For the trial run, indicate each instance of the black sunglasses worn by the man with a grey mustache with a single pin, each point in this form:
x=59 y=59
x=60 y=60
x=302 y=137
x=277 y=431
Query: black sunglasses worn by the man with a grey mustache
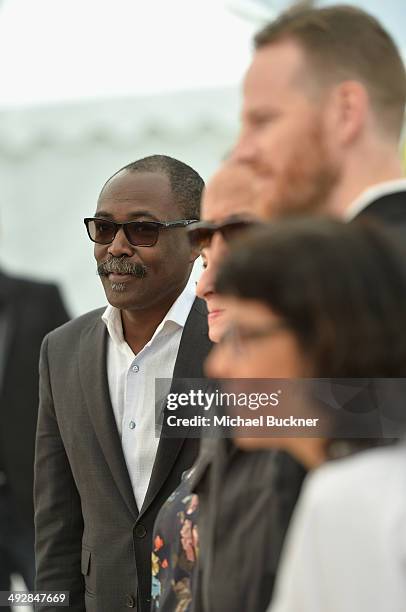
x=138 y=233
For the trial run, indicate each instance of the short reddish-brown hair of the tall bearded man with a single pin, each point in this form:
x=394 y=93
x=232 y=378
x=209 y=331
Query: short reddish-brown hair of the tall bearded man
x=345 y=43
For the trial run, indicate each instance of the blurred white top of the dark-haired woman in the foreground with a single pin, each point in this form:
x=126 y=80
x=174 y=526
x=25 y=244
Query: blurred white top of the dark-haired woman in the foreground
x=346 y=546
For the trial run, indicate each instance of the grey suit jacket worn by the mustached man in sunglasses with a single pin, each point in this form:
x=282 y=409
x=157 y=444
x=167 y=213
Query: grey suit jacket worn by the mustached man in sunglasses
x=91 y=539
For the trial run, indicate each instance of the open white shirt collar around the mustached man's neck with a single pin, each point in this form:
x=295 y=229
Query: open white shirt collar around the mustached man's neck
x=176 y=316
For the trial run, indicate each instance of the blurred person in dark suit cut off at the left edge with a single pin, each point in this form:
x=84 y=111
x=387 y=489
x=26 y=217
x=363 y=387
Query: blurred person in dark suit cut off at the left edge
x=28 y=311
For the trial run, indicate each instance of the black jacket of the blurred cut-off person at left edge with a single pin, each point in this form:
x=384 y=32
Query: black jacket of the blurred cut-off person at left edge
x=28 y=311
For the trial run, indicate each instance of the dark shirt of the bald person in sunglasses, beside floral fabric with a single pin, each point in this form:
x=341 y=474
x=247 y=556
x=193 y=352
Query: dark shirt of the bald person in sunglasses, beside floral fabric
x=245 y=504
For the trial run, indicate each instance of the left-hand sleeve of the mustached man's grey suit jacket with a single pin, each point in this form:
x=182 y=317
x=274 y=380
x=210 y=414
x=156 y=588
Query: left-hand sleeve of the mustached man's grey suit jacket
x=58 y=516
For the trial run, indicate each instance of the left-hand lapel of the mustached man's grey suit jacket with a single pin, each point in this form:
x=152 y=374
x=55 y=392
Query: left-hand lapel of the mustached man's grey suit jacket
x=94 y=382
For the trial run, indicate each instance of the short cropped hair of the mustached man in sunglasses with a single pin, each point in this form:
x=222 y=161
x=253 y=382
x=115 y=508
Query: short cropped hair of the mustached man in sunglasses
x=186 y=184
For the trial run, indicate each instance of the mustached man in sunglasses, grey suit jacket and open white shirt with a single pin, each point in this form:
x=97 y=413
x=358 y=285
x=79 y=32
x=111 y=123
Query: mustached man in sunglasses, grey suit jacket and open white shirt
x=101 y=475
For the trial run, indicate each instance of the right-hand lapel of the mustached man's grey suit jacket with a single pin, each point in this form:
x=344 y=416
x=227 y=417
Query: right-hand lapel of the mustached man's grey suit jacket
x=193 y=349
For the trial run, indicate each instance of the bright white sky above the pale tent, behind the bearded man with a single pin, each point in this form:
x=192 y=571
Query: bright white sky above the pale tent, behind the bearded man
x=62 y=50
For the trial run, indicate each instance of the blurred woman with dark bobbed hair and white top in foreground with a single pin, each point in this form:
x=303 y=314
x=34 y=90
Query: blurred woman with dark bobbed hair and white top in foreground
x=316 y=298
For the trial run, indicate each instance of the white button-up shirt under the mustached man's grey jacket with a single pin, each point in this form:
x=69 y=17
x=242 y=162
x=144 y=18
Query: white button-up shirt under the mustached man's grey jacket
x=131 y=381
